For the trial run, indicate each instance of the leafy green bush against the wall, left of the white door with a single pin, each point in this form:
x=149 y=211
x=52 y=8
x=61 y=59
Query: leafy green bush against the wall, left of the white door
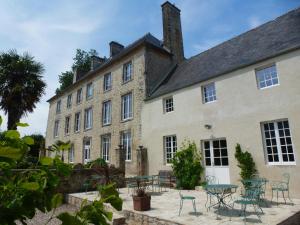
x=187 y=166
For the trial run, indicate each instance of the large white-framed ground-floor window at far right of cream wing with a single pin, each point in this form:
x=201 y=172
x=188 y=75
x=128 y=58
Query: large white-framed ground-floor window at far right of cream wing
x=278 y=142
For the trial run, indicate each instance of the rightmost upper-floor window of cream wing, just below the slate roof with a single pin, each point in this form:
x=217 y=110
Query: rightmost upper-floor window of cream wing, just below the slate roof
x=267 y=77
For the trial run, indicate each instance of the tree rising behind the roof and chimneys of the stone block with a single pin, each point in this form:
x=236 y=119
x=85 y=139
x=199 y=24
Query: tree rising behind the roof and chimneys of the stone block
x=81 y=62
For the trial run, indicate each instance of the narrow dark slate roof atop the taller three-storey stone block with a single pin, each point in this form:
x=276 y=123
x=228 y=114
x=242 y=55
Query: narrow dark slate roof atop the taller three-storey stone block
x=147 y=39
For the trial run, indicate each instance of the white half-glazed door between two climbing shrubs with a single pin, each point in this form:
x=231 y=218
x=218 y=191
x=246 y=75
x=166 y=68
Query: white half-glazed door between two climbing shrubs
x=216 y=160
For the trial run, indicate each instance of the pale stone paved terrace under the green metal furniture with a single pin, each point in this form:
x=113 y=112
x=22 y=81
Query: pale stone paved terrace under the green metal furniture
x=165 y=206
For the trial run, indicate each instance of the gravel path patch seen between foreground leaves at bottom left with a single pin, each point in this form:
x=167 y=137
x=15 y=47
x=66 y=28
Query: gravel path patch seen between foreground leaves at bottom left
x=41 y=218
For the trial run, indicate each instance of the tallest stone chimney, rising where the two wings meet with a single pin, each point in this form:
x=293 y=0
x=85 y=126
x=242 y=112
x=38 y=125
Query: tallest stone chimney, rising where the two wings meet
x=172 y=30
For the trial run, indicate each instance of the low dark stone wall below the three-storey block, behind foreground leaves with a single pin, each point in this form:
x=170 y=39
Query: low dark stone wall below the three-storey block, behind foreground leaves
x=80 y=176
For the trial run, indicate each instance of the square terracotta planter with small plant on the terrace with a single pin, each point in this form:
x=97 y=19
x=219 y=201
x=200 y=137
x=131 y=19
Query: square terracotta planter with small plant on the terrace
x=141 y=200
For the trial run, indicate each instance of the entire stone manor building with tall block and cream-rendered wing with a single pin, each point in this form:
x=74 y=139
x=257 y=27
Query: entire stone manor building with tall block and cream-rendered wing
x=148 y=96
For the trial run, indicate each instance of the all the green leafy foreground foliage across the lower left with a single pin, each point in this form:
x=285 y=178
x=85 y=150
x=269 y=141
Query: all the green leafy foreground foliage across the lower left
x=22 y=193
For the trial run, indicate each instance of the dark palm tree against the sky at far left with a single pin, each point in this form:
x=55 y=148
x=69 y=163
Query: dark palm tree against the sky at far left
x=21 y=85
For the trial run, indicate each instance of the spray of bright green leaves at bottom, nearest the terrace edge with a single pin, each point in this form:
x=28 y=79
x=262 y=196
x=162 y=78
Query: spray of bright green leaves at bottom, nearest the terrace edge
x=95 y=212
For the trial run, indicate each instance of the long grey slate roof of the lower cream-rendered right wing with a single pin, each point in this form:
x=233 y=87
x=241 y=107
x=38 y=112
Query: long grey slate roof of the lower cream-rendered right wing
x=268 y=40
